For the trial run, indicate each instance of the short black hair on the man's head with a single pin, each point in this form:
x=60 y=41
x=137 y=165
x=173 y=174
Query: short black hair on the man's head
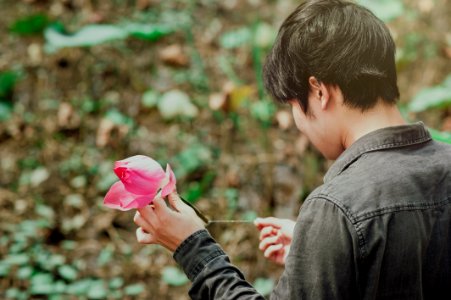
x=339 y=43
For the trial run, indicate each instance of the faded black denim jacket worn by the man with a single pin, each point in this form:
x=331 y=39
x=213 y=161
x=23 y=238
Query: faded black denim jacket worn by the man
x=378 y=228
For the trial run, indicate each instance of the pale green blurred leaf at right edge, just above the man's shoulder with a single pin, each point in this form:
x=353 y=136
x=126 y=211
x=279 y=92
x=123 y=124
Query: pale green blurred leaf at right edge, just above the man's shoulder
x=438 y=96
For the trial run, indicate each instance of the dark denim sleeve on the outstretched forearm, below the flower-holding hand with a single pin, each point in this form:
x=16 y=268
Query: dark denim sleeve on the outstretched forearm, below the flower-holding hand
x=210 y=270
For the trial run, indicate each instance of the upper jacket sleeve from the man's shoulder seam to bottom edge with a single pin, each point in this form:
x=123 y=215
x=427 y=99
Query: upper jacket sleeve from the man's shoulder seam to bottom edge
x=322 y=260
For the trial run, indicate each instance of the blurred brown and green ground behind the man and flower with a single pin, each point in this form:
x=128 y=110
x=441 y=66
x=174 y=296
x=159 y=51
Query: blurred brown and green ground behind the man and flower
x=84 y=83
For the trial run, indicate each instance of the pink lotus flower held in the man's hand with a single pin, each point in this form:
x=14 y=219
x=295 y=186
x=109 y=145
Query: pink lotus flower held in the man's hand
x=141 y=178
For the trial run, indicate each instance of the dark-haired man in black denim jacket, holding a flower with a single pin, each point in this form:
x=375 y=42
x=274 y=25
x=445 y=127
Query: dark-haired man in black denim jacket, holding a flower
x=379 y=227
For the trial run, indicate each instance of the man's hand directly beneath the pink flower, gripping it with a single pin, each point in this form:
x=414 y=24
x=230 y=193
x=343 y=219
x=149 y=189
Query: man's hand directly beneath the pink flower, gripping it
x=166 y=225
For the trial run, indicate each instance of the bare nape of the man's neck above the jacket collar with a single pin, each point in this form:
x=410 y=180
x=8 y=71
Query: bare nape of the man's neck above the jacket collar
x=358 y=123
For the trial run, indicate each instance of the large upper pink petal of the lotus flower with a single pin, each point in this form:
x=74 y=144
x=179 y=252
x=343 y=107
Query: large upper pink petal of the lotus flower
x=140 y=174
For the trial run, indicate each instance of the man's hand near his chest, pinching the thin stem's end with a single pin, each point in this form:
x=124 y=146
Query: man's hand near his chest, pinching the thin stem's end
x=275 y=237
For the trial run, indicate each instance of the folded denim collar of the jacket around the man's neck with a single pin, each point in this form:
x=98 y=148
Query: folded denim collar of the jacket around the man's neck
x=384 y=138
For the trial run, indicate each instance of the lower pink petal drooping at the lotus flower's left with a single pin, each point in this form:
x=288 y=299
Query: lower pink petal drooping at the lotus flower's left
x=119 y=198
